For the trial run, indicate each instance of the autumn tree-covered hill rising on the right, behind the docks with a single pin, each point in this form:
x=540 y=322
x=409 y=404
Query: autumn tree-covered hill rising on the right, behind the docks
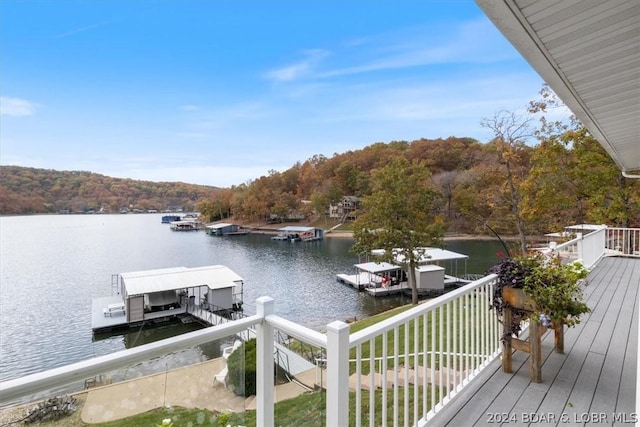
x=509 y=185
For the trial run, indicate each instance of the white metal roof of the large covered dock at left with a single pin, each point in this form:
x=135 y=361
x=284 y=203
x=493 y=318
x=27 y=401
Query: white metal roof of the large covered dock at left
x=167 y=279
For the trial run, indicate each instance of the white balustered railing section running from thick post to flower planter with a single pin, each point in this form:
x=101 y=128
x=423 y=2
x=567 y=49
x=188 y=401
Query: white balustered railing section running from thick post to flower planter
x=414 y=363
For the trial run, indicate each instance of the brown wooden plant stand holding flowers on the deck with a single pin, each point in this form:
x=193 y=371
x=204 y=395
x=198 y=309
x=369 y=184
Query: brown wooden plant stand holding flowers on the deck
x=521 y=301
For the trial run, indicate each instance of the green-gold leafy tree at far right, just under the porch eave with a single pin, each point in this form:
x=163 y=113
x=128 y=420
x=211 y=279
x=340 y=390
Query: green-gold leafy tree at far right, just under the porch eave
x=572 y=177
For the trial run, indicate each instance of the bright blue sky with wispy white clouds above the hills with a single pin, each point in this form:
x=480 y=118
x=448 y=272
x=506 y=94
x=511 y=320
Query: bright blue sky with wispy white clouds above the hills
x=220 y=92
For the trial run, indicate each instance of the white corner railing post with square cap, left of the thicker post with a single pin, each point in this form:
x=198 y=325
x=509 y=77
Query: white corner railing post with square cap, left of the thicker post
x=264 y=364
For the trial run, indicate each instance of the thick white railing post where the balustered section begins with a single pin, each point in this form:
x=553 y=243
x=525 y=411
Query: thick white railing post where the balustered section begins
x=337 y=374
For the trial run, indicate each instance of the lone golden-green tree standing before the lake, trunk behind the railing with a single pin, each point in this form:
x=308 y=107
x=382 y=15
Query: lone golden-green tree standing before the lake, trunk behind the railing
x=400 y=216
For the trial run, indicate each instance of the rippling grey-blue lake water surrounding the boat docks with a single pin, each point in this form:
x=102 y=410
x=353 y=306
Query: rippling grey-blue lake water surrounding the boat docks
x=52 y=266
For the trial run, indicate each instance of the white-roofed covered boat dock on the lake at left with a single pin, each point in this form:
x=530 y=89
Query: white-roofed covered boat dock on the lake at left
x=156 y=295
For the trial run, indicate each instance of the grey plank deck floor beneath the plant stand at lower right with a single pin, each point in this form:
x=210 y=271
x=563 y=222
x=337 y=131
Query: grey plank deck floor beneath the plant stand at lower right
x=593 y=383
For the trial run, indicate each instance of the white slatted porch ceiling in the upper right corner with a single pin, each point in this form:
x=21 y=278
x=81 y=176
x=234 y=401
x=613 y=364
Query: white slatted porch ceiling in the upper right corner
x=588 y=51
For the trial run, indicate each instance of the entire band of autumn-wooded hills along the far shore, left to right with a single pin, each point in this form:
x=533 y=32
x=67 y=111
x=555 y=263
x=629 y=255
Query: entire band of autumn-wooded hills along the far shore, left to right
x=508 y=185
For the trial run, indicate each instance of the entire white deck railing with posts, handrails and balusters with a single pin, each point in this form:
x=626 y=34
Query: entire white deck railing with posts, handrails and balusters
x=402 y=370
